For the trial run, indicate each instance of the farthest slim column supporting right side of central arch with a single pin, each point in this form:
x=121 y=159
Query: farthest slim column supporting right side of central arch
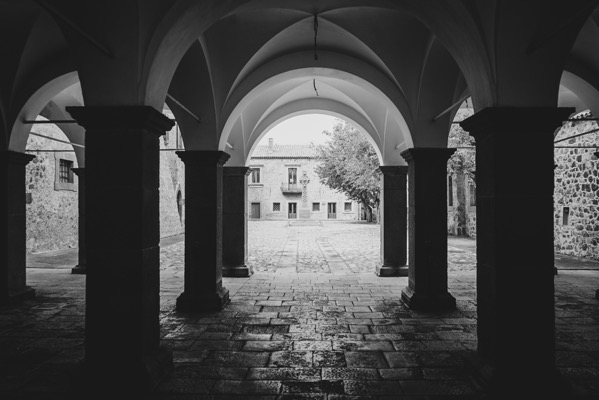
x=394 y=221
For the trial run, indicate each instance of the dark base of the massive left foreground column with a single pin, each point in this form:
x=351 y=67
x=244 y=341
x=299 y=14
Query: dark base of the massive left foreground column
x=115 y=377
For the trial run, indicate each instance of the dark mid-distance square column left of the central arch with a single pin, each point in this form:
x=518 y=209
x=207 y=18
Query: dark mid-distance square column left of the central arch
x=203 y=231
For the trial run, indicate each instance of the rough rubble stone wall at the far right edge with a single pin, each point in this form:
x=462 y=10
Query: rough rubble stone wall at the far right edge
x=576 y=204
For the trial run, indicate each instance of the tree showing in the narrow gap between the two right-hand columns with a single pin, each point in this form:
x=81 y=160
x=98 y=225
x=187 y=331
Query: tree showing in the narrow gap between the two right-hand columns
x=462 y=166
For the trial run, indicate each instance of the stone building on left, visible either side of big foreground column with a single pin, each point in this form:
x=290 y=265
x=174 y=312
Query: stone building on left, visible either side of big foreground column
x=52 y=189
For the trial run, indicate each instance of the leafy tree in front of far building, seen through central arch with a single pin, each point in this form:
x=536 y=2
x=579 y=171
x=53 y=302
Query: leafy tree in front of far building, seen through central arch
x=348 y=163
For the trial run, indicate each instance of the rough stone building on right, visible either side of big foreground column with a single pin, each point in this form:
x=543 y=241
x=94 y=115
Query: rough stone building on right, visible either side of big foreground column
x=576 y=191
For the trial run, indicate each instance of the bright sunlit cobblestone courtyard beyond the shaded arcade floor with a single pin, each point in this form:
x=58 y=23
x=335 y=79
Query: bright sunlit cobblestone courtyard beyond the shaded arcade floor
x=325 y=247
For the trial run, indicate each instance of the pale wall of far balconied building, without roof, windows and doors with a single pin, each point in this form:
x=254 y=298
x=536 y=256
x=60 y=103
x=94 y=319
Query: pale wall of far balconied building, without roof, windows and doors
x=274 y=173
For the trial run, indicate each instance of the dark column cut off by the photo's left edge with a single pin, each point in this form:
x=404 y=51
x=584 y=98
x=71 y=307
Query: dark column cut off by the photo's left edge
x=13 y=228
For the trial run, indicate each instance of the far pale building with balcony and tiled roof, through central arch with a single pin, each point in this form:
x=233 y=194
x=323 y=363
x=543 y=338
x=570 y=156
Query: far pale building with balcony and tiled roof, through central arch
x=283 y=184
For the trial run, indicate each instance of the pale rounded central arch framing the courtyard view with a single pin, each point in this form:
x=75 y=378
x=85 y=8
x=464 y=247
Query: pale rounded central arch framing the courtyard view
x=291 y=93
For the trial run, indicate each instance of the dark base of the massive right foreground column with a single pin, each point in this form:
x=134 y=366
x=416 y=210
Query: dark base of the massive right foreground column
x=515 y=384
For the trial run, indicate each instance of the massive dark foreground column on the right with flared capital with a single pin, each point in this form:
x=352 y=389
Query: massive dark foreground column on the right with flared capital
x=514 y=216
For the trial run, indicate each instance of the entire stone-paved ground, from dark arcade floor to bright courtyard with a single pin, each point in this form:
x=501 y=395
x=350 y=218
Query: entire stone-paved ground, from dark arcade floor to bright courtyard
x=313 y=322
